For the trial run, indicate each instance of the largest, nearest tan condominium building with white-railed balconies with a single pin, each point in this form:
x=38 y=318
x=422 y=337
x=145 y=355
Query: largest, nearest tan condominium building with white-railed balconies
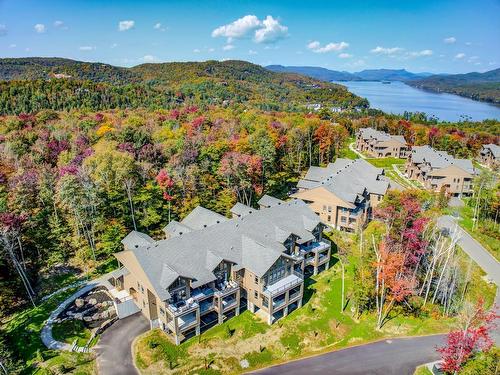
x=210 y=268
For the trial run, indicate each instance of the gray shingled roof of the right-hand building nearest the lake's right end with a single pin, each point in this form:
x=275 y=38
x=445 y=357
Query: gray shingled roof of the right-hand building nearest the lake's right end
x=438 y=159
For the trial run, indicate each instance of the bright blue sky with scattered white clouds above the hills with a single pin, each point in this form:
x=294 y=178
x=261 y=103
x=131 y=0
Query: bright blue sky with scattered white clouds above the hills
x=437 y=36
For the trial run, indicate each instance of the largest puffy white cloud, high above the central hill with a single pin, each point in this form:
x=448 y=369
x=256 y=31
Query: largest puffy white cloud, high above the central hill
x=268 y=30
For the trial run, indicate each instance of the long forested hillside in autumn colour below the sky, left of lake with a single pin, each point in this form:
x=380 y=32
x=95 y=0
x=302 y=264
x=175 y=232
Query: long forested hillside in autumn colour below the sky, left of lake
x=60 y=84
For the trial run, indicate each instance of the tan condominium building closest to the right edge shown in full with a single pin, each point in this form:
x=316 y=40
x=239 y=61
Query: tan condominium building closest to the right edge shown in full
x=438 y=170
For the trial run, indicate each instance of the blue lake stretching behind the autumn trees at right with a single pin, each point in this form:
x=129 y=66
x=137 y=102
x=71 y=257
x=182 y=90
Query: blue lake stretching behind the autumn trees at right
x=397 y=98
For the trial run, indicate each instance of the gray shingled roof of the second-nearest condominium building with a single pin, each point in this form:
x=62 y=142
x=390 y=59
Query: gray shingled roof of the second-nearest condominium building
x=346 y=178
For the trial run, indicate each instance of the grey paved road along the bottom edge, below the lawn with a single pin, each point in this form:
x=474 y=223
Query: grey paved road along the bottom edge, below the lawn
x=396 y=356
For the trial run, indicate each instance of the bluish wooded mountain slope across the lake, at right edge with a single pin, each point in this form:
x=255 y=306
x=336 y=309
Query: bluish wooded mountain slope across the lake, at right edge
x=478 y=86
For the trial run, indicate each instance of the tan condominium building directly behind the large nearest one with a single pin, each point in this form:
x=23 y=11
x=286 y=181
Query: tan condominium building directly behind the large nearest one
x=343 y=193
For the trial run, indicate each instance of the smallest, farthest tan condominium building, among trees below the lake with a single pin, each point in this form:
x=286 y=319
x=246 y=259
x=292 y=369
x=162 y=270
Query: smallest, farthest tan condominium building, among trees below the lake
x=380 y=144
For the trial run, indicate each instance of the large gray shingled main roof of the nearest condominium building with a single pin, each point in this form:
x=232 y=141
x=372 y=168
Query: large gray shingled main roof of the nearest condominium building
x=254 y=241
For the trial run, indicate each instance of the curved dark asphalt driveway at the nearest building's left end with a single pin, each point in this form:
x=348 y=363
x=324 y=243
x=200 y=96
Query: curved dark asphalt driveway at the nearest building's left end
x=114 y=351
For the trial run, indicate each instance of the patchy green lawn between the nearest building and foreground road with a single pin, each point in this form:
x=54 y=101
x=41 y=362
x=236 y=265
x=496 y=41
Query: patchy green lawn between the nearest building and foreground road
x=317 y=327
